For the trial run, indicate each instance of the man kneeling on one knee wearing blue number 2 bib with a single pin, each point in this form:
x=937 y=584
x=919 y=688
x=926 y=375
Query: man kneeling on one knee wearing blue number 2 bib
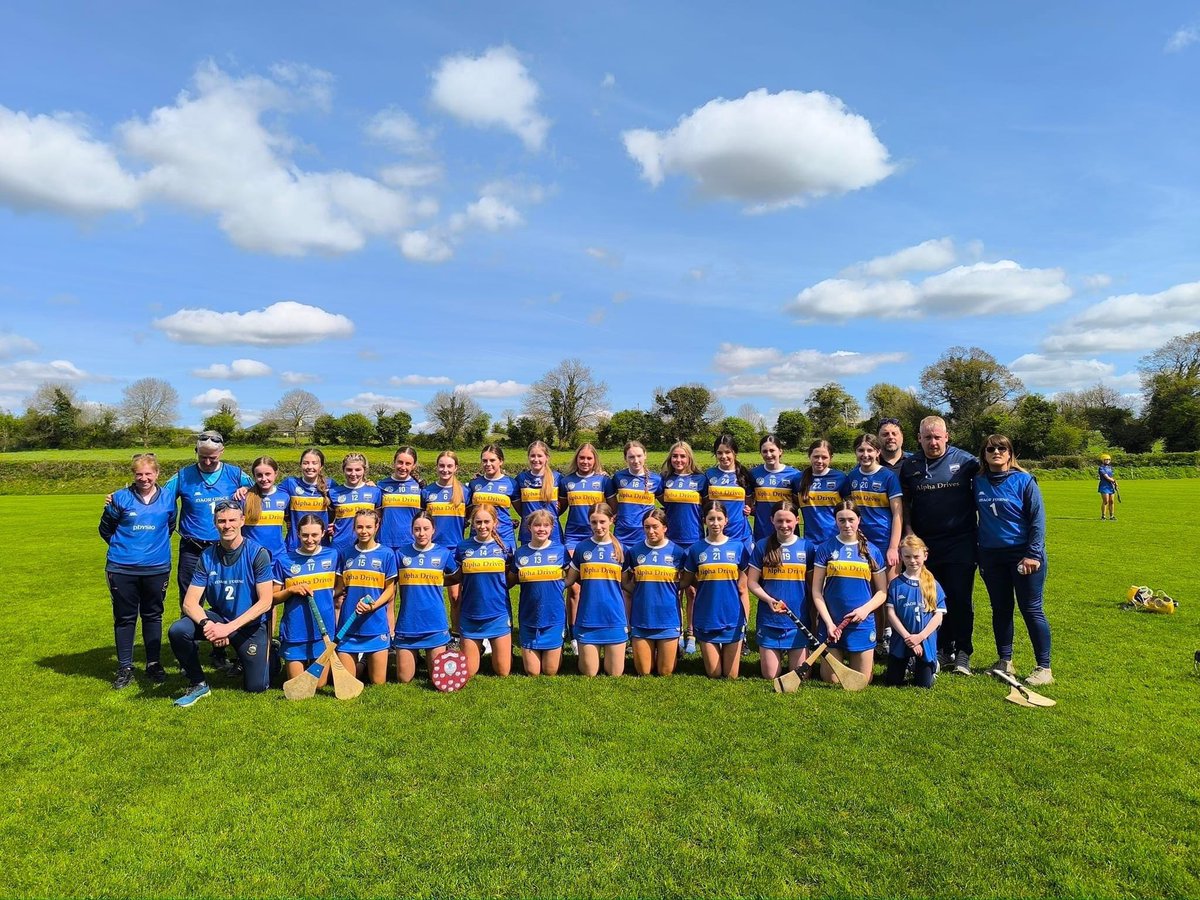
x=235 y=579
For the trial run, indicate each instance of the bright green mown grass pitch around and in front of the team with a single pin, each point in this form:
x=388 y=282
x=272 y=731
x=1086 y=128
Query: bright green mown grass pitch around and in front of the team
x=655 y=788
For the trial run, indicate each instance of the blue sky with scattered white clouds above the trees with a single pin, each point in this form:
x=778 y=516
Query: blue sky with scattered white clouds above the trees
x=380 y=205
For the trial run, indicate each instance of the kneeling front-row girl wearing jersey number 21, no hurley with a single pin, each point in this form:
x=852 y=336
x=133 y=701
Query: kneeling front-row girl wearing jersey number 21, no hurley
x=717 y=566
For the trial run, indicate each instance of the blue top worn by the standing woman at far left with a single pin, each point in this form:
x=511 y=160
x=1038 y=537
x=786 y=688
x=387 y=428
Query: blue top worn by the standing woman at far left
x=139 y=532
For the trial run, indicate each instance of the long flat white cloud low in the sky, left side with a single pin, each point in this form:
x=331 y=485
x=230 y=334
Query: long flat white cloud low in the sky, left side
x=281 y=325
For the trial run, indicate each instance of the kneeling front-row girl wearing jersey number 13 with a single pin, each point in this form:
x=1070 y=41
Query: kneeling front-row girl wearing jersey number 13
x=542 y=617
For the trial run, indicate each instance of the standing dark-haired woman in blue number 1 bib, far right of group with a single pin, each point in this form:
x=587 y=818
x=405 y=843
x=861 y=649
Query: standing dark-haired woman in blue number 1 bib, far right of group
x=1012 y=554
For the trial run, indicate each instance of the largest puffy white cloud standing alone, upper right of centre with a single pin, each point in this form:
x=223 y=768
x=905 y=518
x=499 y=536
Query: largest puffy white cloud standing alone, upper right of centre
x=766 y=151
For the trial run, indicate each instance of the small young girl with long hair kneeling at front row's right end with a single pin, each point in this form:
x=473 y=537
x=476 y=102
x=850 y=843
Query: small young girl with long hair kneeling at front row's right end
x=916 y=605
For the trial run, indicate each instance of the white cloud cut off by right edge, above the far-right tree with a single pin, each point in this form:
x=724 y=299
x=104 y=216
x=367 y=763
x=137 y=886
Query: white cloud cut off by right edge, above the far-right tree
x=1130 y=323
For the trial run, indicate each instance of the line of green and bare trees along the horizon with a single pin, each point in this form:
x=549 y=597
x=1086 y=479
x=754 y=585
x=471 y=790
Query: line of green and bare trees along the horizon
x=967 y=386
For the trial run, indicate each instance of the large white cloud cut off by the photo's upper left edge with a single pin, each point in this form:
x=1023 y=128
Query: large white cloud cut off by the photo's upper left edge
x=53 y=163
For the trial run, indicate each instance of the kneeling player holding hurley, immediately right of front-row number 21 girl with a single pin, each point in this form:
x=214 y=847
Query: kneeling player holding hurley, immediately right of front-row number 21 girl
x=779 y=575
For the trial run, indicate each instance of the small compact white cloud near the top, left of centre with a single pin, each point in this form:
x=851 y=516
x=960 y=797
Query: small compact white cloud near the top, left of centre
x=493 y=91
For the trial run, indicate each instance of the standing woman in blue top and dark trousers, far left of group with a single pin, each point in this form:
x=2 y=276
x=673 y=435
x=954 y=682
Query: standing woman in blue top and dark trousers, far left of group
x=136 y=525
